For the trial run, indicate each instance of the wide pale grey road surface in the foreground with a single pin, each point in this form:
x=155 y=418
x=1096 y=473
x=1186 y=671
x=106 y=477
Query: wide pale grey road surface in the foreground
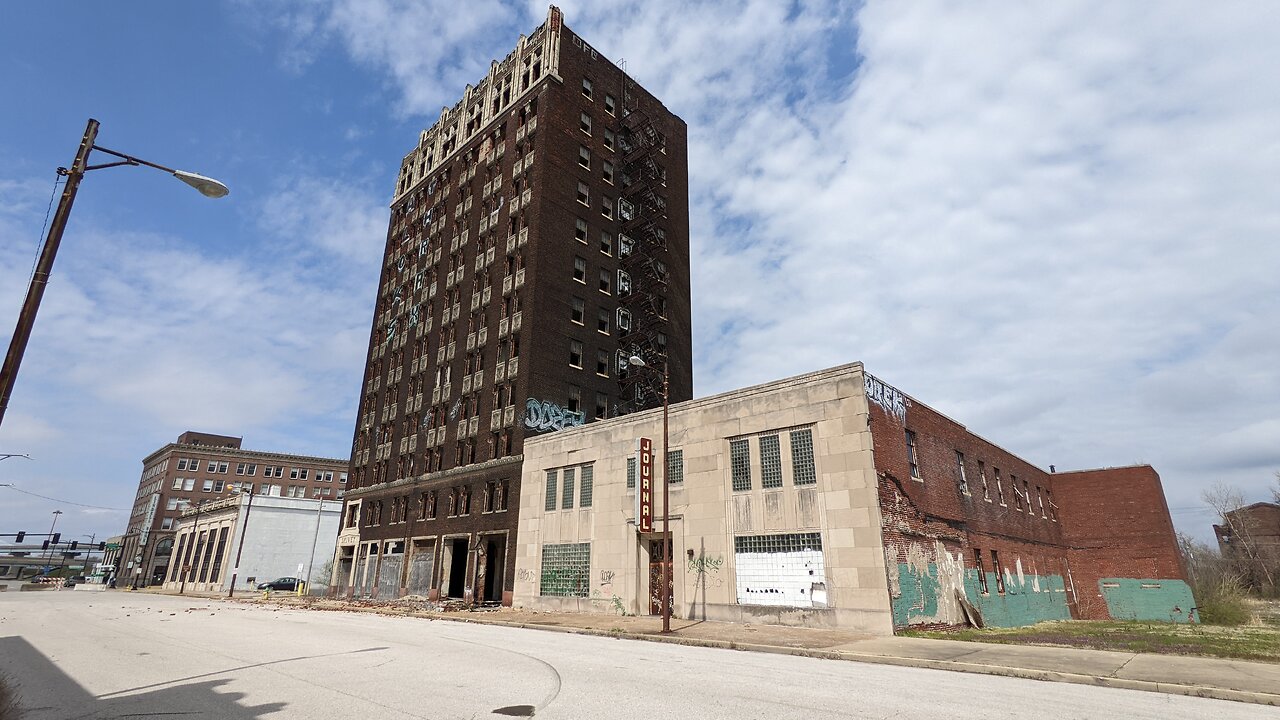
x=95 y=654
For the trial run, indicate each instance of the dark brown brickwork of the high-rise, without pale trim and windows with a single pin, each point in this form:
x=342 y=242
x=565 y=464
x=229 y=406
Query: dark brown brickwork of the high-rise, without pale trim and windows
x=546 y=298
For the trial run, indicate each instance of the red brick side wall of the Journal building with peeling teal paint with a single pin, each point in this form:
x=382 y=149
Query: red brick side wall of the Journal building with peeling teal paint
x=973 y=530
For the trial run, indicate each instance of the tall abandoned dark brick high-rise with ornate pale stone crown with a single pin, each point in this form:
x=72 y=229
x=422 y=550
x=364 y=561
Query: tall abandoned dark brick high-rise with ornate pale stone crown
x=540 y=238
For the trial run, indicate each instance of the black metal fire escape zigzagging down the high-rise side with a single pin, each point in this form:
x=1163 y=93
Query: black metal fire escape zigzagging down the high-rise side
x=643 y=257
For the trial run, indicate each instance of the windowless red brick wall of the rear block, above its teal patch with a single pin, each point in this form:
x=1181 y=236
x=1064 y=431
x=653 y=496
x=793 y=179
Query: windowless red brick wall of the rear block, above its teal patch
x=1117 y=525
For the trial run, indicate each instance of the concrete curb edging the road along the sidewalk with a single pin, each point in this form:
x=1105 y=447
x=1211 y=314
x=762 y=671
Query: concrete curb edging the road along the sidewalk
x=953 y=666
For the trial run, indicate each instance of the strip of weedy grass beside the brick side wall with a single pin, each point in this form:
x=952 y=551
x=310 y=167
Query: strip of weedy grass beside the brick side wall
x=1259 y=641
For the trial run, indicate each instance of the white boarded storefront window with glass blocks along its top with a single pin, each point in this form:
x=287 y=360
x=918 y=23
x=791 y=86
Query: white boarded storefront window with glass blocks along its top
x=784 y=571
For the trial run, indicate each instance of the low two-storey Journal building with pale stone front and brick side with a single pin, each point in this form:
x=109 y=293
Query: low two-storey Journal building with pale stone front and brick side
x=833 y=499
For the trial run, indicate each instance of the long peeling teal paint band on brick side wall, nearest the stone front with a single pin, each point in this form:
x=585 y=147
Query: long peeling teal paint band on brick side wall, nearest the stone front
x=920 y=604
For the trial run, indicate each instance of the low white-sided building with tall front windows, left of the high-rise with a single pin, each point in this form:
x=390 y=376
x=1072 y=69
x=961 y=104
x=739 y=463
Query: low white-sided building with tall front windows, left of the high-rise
x=281 y=537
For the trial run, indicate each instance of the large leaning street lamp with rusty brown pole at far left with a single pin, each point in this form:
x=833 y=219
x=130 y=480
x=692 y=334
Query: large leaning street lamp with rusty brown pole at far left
x=208 y=188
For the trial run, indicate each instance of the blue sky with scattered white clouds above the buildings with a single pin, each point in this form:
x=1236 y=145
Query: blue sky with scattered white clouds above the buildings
x=1054 y=222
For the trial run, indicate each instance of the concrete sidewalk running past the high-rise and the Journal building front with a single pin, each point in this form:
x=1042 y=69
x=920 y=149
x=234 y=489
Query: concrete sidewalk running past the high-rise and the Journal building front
x=1200 y=677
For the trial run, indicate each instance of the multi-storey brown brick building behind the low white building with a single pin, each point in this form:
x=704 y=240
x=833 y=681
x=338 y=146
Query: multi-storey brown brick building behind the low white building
x=203 y=468
